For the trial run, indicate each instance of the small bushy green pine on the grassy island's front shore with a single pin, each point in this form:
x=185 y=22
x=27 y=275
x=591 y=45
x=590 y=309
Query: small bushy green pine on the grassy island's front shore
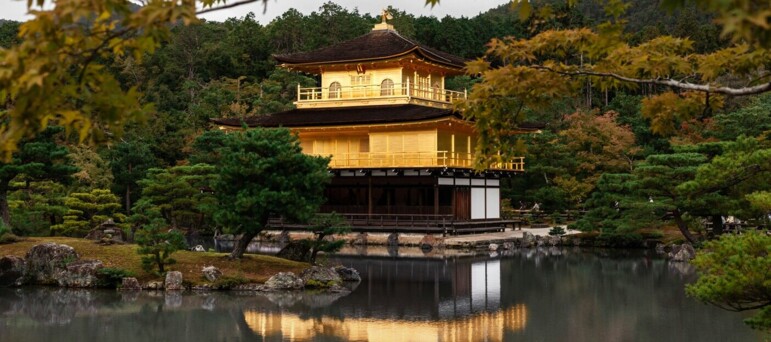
x=157 y=246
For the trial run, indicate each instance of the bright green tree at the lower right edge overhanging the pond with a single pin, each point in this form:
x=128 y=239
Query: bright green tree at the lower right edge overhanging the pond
x=735 y=274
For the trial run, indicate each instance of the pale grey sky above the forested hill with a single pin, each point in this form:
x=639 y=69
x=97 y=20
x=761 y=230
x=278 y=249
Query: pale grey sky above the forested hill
x=16 y=10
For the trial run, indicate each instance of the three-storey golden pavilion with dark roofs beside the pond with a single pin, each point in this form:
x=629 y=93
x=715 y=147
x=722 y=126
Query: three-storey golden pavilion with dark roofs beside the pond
x=401 y=157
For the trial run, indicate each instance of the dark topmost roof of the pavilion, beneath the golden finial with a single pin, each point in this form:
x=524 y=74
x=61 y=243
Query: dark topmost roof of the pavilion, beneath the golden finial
x=378 y=44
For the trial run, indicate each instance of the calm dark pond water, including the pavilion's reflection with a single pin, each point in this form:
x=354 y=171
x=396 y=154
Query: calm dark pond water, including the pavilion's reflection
x=529 y=295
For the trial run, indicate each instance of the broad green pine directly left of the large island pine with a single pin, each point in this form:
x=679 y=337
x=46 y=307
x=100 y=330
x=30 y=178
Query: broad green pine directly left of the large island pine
x=182 y=195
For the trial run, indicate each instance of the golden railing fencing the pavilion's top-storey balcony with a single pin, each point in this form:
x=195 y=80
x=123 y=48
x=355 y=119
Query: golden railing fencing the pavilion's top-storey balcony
x=377 y=91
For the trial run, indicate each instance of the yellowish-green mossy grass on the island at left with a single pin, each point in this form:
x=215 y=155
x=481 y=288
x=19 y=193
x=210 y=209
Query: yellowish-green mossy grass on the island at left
x=252 y=268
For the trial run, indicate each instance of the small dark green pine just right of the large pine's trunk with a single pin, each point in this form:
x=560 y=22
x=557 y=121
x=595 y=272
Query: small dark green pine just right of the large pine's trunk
x=324 y=226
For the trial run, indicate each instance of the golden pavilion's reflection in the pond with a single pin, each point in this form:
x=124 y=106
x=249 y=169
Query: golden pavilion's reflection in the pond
x=458 y=301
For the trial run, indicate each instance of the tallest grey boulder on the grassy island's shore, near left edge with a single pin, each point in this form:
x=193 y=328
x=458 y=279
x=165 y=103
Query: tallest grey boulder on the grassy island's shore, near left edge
x=45 y=261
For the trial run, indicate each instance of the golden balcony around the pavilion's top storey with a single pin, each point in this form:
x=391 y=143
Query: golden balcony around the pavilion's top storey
x=398 y=93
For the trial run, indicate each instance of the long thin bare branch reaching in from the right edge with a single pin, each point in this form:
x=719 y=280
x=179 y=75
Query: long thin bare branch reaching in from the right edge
x=758 y=89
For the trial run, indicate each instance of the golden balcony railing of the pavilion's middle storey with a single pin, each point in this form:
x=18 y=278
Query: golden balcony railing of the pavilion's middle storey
x=416 y=160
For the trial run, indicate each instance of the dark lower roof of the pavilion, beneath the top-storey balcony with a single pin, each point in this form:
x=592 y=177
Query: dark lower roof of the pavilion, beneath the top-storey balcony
x=319 y=117
